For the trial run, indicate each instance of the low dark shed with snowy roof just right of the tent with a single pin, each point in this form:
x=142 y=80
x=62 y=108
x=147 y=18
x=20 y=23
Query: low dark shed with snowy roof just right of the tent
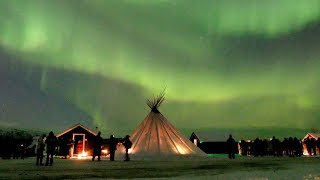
x=211 y=142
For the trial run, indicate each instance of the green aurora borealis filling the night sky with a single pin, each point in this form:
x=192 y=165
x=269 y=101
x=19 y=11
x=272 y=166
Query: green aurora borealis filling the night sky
x=225 y=63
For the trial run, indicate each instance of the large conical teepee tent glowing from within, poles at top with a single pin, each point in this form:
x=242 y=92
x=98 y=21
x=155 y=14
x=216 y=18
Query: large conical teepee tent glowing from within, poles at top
x=157 y=137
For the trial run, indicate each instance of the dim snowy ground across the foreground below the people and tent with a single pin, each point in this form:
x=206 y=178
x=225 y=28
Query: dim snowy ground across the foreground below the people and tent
x=211 y=168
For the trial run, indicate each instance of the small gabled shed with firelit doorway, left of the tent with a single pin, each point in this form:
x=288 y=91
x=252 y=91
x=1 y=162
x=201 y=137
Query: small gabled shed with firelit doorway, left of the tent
x=76 y=141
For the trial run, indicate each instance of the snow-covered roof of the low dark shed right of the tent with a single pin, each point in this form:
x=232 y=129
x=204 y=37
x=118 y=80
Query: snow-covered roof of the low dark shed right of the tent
x=211 y=136
